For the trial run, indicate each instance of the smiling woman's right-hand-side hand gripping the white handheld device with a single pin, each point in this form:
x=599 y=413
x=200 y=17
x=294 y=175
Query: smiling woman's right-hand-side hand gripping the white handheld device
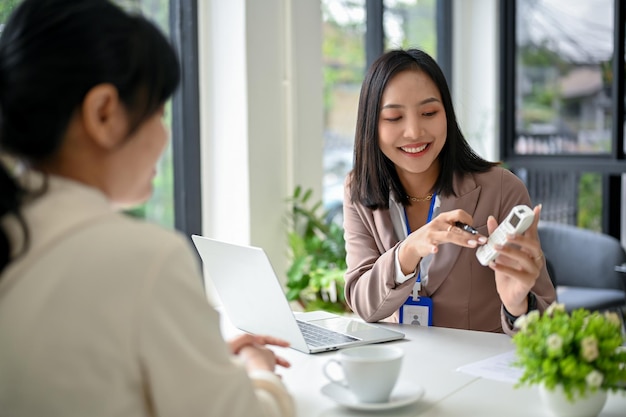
x=518 y=266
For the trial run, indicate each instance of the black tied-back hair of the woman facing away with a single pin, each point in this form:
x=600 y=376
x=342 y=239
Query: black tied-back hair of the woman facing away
x=52 y=52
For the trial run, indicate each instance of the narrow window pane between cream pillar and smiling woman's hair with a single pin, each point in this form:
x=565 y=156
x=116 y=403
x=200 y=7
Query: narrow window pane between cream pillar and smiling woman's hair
x=343 y=55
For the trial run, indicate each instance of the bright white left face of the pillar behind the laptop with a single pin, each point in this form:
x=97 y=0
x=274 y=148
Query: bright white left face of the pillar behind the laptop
x=224 y=120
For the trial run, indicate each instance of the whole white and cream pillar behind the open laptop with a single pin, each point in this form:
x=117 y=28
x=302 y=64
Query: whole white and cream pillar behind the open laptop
x=261 y=124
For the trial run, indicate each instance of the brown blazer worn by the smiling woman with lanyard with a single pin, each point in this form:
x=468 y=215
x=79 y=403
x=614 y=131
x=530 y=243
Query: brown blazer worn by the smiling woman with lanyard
x=463 y=291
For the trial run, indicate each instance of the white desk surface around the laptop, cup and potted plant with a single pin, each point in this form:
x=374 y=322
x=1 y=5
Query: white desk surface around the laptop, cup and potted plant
x=432 y=356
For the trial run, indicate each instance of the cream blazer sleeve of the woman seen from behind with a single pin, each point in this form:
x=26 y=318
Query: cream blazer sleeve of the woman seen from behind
x=187 y=366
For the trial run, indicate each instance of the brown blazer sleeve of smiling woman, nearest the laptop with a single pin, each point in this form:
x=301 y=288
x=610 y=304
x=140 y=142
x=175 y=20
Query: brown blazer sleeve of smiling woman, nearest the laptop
x=371 y=290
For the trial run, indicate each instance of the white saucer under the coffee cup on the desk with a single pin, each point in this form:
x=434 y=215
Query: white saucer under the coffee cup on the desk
x=404 y=393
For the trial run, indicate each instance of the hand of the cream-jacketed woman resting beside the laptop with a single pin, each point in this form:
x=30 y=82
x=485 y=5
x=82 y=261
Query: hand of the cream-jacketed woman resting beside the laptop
x=254 y=353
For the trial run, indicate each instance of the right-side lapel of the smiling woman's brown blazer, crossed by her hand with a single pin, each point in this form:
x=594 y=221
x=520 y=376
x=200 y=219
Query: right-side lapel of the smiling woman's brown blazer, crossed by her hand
x=467 y=193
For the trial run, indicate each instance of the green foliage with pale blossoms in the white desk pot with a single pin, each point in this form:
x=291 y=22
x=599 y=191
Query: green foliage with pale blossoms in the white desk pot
x=581 y=351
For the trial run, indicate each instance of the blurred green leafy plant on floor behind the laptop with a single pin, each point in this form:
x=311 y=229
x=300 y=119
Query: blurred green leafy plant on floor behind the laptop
x=318 y=256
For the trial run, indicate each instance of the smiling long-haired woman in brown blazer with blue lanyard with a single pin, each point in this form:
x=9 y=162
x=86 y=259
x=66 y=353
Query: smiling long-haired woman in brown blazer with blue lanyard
x=414 y=177
